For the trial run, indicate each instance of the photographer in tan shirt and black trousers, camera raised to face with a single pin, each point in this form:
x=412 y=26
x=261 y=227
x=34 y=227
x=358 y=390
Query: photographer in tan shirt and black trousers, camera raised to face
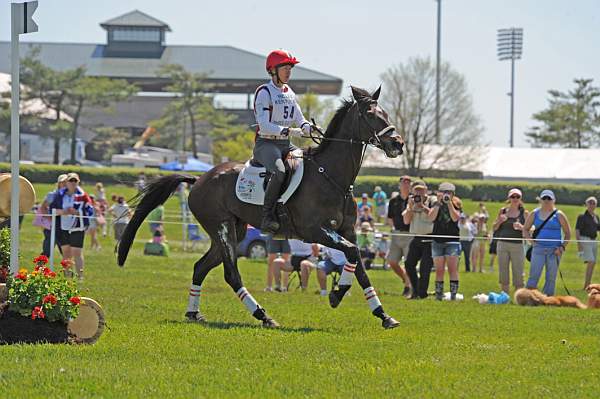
x=419 y=250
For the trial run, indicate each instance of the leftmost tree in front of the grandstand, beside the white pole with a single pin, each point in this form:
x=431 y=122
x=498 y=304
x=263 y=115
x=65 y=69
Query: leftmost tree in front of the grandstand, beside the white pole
x=52 y=88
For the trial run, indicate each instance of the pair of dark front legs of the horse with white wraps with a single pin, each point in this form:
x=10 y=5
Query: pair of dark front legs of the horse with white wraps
x=354 y=267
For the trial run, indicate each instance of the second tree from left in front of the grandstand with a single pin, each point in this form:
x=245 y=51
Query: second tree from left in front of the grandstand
x=94 y=92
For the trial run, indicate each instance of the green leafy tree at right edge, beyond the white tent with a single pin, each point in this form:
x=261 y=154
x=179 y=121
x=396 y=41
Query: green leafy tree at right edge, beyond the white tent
x=571 y=120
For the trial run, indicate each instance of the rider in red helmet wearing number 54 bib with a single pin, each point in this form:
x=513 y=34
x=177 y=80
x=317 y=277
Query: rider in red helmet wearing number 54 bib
x=278 y=116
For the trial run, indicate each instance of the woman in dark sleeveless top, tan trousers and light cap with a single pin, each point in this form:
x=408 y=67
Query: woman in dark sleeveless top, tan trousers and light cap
x=508 y=228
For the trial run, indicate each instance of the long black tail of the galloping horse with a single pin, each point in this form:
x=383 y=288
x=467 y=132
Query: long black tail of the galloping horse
x=151 y=196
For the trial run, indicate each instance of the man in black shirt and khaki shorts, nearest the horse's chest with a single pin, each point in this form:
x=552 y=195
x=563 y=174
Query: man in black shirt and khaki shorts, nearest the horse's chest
x=400 y=238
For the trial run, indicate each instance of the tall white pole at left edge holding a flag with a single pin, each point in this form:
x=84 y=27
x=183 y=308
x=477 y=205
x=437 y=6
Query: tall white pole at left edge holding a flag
x=14 y=142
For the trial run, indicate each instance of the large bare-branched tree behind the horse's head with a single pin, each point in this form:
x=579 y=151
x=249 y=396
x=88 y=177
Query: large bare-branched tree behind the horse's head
x=409 y=96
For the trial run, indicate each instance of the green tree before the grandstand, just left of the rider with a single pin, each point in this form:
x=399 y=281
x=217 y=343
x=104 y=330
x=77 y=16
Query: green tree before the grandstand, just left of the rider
x=191 y=89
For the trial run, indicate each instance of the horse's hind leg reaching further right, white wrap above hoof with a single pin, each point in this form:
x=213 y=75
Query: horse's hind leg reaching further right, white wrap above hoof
x=228 y=244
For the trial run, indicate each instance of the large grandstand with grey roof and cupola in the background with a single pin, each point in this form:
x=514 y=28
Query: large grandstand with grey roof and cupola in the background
x=136 y=48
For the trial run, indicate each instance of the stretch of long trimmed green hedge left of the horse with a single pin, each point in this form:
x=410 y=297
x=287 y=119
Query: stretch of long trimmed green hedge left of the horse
x=88 y=175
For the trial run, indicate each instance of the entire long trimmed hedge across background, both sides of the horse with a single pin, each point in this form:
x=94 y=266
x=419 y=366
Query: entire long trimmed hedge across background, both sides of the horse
x=478 y=190
